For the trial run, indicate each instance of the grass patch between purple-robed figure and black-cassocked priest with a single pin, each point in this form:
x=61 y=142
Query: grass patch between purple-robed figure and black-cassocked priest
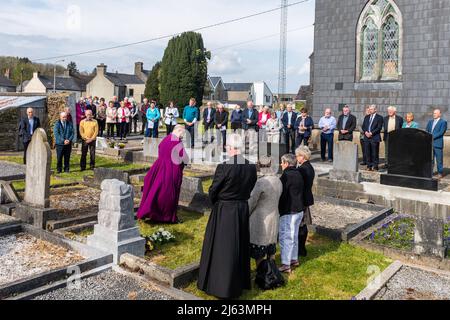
x=188 y=242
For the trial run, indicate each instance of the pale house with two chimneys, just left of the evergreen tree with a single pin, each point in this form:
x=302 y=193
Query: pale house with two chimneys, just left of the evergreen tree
x=108 y=84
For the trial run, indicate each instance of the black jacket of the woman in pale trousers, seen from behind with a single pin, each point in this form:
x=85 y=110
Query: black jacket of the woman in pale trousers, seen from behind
x=291 y=200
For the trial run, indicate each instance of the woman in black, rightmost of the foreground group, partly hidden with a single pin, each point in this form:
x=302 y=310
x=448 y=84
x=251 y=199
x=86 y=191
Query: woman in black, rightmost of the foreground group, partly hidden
x=303 y=155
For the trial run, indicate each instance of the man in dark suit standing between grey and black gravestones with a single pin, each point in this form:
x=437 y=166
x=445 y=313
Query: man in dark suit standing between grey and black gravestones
x=372 y=126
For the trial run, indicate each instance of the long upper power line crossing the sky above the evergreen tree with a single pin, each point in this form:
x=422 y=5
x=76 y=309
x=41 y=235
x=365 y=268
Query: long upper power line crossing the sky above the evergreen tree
x=171 y=35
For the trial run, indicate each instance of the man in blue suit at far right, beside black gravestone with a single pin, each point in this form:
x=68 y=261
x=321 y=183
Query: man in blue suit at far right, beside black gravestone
x=438 y=127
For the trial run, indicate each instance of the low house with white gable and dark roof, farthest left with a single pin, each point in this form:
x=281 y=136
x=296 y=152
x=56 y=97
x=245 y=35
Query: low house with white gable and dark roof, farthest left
x=68 y=83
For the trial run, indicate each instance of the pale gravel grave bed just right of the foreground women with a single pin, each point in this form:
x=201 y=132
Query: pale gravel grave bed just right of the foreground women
x=337 y=217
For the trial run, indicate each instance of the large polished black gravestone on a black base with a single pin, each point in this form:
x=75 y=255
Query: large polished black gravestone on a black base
x=410 y=160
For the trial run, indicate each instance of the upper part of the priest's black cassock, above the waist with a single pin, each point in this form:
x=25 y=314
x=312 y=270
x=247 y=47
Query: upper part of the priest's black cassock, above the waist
x=233 y=181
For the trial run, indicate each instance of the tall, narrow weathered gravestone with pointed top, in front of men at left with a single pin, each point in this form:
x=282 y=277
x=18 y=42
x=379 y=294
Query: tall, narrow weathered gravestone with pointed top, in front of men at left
x=35 y=207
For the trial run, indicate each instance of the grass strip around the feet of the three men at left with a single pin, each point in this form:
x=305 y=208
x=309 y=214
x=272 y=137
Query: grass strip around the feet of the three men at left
x=76 y=175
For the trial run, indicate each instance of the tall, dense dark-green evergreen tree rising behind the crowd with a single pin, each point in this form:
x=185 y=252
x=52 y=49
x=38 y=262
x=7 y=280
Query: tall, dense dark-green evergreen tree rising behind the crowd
x=184 y=69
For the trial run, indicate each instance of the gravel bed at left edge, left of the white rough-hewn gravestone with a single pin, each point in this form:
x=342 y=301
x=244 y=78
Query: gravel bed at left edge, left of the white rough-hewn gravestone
x=23 y=256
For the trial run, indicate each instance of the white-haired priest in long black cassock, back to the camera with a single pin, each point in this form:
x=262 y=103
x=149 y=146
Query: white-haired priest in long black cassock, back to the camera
x=225 y=262
